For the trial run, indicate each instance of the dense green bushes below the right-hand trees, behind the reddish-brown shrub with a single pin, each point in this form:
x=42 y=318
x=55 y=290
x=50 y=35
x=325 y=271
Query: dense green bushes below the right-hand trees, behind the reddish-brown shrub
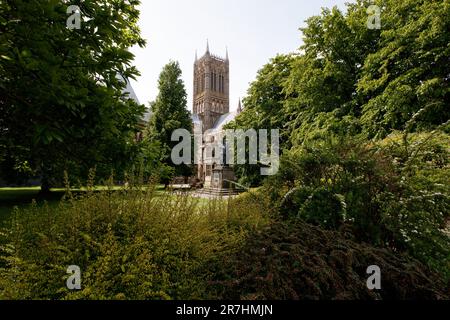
x=392 y=194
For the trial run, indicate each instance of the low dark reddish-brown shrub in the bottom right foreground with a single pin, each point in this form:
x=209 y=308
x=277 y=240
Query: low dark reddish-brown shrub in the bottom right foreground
x=296 y=261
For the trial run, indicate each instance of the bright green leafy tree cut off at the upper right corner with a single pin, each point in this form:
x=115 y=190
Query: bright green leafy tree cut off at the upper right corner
x=407 y=80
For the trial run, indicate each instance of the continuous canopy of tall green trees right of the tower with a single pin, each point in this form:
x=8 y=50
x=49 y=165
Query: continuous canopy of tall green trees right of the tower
x=348 y=79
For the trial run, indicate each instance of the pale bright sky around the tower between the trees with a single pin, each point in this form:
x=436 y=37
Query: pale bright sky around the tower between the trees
x=253 y=30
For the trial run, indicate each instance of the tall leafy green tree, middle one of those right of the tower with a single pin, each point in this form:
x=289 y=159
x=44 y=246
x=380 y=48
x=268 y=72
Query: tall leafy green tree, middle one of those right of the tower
x=323 y=82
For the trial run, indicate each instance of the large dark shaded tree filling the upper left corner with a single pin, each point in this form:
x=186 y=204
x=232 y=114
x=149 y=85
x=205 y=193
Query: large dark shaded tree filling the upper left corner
x=62 y=103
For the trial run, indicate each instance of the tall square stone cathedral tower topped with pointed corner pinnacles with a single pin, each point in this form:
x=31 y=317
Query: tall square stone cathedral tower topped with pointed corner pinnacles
x=211 y=88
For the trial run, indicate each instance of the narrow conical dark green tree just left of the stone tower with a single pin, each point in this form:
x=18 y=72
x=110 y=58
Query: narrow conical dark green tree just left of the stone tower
x=169 y=113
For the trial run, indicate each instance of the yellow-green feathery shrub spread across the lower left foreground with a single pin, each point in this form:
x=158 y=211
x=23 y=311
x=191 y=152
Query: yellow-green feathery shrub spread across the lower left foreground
x=134 y=243
